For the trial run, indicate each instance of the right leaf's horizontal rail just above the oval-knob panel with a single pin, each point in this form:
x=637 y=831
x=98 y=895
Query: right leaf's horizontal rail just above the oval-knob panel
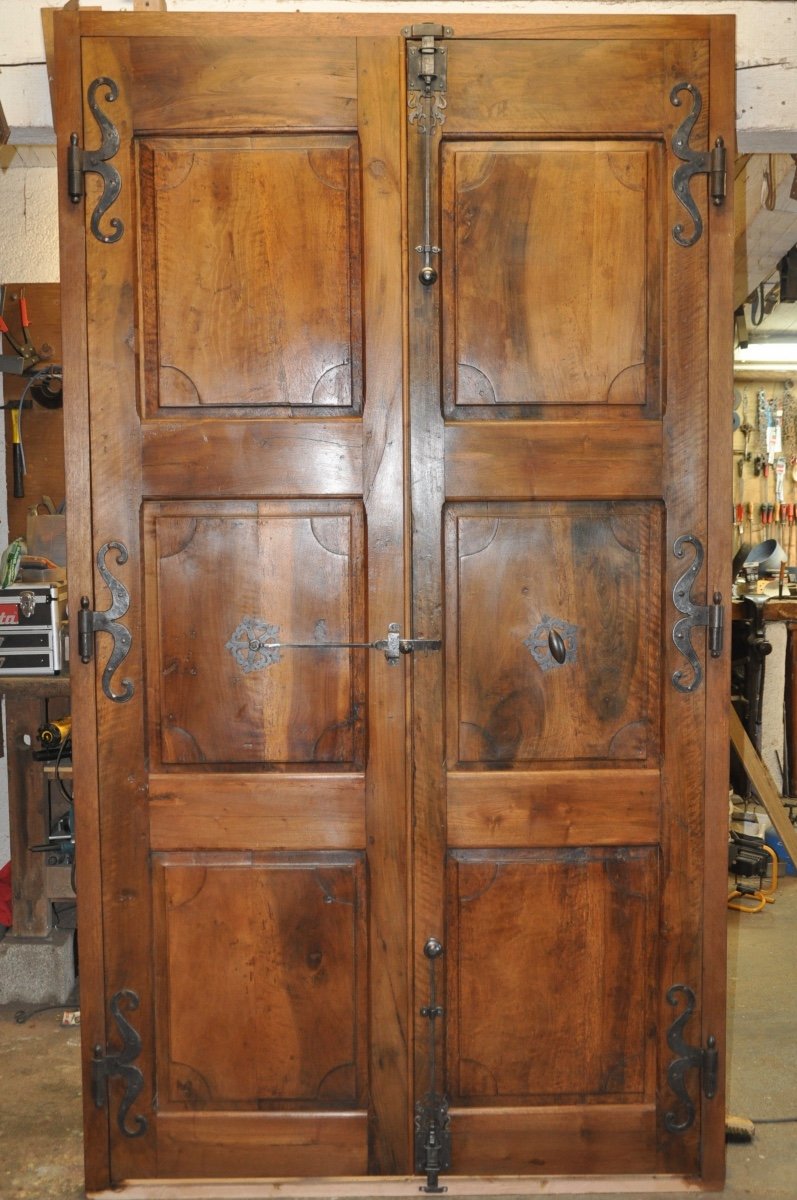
x=616 y=461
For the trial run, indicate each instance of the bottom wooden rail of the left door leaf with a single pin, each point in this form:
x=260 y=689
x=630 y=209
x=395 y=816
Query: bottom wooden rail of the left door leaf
x=206 y=1143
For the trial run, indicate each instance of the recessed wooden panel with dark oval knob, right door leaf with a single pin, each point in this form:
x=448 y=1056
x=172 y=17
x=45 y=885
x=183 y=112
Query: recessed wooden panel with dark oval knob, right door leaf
x=554 y=633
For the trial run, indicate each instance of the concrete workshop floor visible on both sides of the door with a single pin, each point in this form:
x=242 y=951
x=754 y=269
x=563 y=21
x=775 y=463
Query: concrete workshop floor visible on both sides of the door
x=40 y=1089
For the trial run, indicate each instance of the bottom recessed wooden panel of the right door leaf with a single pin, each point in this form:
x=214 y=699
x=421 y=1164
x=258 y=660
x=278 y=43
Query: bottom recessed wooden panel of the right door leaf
x=558 y=1009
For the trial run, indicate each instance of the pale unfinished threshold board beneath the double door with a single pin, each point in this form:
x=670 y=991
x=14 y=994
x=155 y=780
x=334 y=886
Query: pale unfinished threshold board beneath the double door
x=395 y=1186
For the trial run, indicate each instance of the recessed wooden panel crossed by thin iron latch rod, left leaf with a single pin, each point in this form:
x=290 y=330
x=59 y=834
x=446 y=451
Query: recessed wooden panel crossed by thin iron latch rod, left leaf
x=219 y=604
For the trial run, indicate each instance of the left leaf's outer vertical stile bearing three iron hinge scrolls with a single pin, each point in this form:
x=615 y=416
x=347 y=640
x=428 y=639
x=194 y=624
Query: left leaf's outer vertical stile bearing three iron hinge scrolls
x=117 y=496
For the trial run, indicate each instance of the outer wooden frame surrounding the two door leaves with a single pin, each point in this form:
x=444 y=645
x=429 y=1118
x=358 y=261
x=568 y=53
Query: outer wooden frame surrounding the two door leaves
x=70 y=27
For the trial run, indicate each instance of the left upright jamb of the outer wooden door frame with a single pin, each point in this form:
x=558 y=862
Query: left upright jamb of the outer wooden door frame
x=69 y=118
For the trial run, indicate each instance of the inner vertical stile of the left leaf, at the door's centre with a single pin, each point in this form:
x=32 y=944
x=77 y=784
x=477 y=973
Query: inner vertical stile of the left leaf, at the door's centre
x=383 y=487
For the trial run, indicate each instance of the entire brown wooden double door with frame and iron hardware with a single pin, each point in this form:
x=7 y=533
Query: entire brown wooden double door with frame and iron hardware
x=398 y=819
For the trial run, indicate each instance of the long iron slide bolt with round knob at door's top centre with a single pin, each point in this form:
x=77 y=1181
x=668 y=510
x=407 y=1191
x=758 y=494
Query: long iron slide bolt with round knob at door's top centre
x=427 y=86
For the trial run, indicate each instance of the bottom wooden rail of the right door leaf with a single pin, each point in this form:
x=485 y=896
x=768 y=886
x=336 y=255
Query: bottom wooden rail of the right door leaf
x=594 y=1139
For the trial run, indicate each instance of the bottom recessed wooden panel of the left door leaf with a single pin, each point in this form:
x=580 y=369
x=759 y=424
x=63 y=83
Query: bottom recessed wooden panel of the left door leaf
x=284 y=941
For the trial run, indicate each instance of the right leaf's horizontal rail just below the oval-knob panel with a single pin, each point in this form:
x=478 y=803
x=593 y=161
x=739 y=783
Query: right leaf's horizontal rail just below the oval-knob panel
x=554 y=808
